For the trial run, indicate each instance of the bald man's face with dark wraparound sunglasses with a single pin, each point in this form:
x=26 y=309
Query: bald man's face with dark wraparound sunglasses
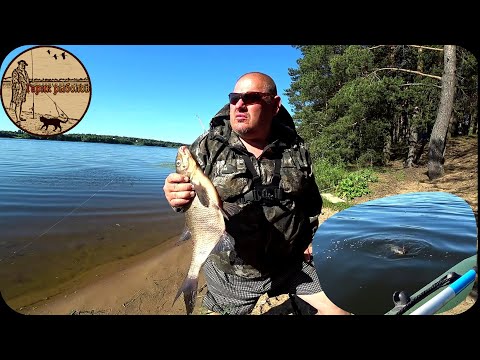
x=252 y=120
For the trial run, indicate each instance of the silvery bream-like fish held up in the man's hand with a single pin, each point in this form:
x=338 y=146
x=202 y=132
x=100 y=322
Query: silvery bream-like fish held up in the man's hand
x=204 y=224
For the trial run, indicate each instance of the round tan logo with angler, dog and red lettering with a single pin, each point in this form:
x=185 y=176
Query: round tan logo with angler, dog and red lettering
x=45 y=91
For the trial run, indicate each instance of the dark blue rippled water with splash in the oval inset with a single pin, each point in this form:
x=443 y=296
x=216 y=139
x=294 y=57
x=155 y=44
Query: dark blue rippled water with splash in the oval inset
x=398 y=243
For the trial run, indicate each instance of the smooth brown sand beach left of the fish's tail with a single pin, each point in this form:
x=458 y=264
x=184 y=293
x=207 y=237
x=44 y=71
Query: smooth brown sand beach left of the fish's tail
x=147 y=286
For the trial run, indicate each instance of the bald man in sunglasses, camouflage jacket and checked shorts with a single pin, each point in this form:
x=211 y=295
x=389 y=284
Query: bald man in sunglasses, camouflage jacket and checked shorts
x=256 y=160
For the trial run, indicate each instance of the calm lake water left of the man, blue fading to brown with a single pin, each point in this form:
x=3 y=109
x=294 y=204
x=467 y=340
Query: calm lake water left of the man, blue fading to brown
x=67 y=207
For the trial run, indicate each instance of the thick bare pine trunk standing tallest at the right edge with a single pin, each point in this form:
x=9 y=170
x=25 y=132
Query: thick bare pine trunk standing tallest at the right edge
x=439 y=133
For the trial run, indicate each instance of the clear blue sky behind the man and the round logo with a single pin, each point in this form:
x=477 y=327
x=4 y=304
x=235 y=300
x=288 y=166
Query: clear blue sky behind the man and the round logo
x=161 y=91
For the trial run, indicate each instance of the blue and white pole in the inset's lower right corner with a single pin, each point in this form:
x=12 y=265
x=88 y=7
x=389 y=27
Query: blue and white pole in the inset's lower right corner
x=443 y=297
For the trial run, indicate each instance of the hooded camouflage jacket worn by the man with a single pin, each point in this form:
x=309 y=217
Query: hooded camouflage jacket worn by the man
x=266 y=235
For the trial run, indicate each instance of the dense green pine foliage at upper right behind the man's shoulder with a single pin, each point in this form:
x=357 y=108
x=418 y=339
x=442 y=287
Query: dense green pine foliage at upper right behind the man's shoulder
x=353 y=104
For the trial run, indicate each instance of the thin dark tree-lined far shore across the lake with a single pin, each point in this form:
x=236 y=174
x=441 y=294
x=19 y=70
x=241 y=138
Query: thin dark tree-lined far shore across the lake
x=109 y=139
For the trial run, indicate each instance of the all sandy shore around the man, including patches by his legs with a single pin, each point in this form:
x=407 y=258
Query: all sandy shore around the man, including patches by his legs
x=145 y=285
